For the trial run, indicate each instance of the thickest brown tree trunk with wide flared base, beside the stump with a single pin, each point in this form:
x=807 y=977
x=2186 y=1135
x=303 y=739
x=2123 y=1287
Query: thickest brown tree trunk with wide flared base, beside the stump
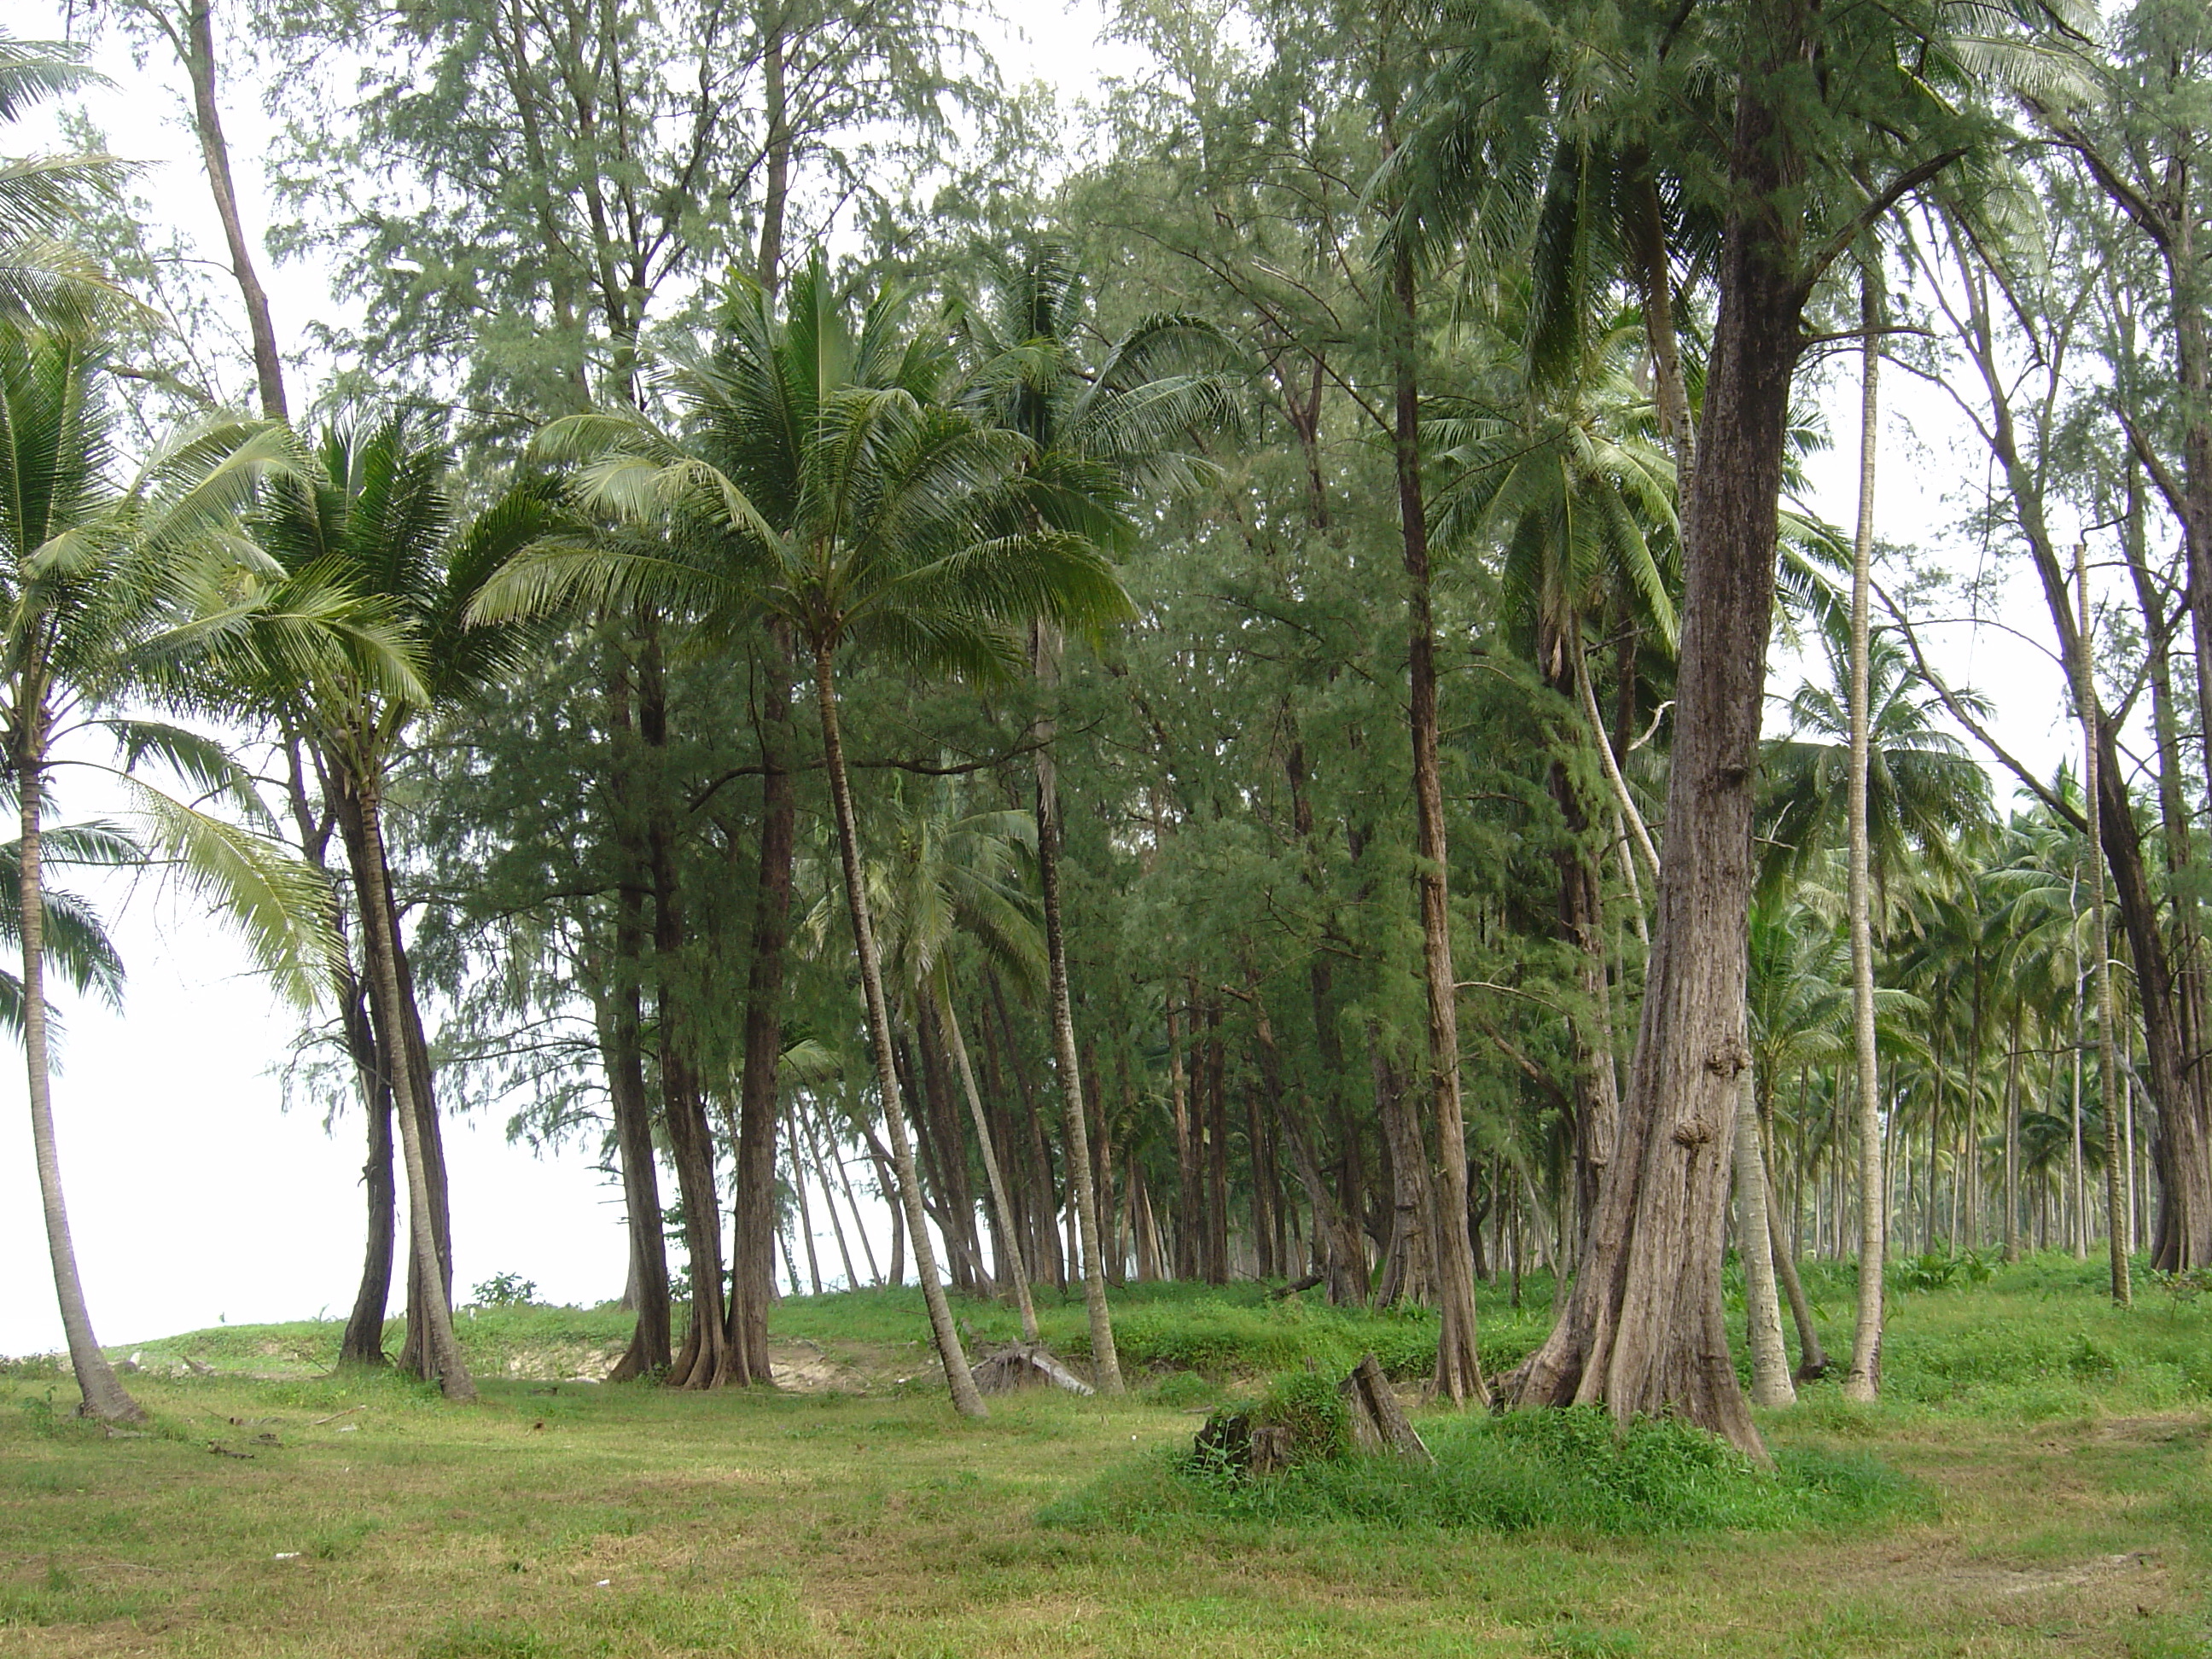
x=1645 y=1328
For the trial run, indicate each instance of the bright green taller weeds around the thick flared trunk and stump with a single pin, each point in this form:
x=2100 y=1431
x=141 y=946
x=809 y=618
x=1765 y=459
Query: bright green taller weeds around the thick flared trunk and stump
x=1527 y=1472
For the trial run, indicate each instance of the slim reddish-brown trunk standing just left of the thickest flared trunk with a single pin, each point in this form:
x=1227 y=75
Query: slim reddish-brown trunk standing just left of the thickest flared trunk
x=1459 y=1366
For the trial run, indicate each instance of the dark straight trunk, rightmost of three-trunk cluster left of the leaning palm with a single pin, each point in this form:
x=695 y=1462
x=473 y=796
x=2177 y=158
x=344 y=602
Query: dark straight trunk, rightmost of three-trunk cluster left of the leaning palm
x=753 y=1269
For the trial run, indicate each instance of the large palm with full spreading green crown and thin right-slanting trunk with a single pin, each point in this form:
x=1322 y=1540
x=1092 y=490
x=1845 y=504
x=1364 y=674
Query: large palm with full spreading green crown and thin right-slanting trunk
x=826 y=486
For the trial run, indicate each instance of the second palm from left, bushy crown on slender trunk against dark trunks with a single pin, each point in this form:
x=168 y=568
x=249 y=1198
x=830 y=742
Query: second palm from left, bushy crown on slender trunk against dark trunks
x=375 y=512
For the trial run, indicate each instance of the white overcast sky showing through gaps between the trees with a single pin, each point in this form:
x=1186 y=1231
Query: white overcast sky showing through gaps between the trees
x=198 y=1198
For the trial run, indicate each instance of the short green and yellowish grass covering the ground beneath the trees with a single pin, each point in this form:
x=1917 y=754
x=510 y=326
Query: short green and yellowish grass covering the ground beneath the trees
x=2054 y=1457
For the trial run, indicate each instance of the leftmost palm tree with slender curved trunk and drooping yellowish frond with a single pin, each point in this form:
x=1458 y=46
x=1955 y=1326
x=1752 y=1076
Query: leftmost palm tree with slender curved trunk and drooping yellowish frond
x=116 y=598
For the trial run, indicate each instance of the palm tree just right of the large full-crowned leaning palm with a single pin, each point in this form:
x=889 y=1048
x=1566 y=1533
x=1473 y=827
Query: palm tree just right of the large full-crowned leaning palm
x=1098 y=432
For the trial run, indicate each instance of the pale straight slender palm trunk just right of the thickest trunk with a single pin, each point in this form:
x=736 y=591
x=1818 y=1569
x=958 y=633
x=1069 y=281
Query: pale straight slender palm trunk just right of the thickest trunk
x=1866 y=1377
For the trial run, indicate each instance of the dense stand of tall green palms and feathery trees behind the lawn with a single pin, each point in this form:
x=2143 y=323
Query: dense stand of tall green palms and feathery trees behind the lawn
x=957 y=689
